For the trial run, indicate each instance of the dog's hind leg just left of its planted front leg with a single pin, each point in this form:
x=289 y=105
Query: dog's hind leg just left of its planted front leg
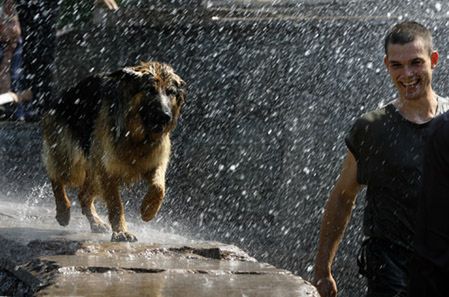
x=86 y=197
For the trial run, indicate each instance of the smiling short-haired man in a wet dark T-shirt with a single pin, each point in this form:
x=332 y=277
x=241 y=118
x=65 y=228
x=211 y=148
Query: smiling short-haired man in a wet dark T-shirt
x=385 y=149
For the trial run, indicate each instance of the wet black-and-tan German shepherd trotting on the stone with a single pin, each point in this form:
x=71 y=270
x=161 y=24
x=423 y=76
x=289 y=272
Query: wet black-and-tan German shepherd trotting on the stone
x=109 y=130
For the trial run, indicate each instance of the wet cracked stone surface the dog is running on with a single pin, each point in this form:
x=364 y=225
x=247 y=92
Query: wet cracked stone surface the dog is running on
x=38 y=260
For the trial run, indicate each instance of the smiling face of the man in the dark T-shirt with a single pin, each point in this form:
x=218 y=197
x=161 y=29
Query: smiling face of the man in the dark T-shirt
x=410 y=66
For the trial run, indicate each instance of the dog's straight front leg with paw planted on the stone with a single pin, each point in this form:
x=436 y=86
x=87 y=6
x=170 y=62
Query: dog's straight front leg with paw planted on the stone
x=111 y=195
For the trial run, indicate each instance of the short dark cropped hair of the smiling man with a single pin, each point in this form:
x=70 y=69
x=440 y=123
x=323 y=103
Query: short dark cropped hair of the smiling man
x=406 y=32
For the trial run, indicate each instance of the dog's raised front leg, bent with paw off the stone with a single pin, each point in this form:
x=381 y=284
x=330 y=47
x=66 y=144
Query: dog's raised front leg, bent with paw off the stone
x=152 y=201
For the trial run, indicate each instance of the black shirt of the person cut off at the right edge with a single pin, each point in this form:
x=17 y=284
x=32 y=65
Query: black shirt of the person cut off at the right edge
x=432 y=224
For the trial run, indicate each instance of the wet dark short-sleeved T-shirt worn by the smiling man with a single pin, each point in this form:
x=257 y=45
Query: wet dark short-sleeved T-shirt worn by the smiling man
x=389 y=153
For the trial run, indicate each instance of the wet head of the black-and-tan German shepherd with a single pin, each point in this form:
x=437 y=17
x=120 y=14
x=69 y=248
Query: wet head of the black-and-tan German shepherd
x=150 y=100
